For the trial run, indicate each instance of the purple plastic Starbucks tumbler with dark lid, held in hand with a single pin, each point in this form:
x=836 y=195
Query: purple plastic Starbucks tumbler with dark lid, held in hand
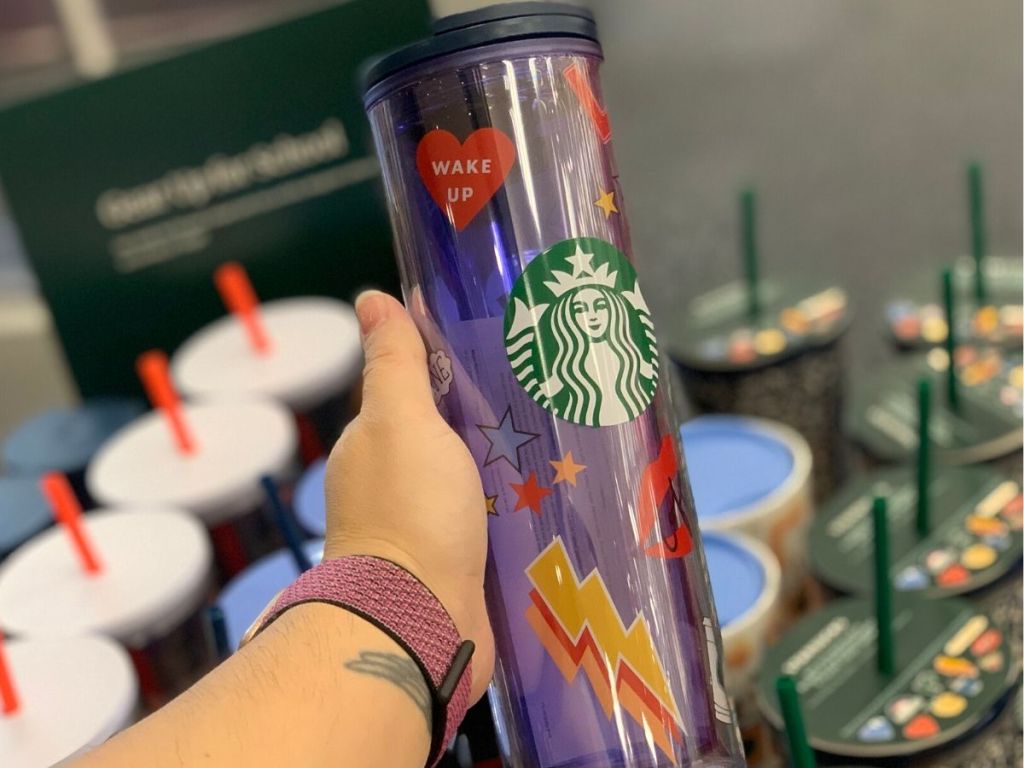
x=514 y=248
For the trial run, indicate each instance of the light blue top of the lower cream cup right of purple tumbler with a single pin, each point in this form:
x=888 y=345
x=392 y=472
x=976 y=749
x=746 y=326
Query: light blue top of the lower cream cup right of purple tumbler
x=738 y=578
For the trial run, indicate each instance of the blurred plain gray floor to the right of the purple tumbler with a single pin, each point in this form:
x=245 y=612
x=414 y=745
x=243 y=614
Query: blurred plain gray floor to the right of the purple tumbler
x=854 y=118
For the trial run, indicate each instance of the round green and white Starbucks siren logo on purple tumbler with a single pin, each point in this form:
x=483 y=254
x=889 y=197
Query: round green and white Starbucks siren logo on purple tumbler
x=579 y=334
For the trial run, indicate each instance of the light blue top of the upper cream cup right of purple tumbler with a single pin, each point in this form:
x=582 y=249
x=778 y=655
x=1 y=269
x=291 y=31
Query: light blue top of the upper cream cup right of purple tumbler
x=733 y=464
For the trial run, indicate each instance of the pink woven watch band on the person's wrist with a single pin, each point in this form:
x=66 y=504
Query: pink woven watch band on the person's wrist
x=395 y=601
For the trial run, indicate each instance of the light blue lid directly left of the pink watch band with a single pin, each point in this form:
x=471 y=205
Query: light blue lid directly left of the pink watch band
x=249 y=592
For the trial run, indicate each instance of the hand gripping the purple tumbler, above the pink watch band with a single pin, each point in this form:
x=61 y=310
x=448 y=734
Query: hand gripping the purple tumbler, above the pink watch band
x=402 y=486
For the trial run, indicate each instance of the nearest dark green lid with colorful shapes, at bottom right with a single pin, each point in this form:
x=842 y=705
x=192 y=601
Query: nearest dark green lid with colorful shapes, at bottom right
x=954 y=672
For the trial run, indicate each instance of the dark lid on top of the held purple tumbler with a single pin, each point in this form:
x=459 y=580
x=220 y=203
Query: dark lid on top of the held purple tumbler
x=491 y=25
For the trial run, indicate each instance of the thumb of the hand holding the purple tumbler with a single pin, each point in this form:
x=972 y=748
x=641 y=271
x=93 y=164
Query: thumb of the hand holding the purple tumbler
x=396 y=381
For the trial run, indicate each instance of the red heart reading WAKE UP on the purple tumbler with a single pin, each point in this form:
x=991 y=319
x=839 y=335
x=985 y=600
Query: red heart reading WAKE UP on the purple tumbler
x=463 y=178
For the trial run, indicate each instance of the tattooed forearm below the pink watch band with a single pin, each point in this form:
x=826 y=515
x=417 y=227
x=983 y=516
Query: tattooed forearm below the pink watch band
x=319 y=688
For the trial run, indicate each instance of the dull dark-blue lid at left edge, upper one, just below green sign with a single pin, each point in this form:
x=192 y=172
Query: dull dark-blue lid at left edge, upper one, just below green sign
x=65 y=440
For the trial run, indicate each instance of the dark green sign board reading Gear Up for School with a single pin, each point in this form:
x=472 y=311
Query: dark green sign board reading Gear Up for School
x=129 y=192
